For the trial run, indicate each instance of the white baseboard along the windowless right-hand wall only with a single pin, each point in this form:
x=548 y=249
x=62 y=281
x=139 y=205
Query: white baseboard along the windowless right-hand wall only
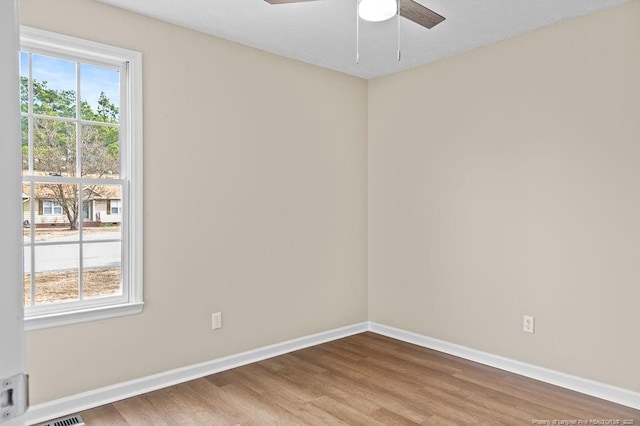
x=578 y=384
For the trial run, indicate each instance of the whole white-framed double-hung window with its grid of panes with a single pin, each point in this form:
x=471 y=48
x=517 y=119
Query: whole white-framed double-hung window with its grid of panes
x=81 y=117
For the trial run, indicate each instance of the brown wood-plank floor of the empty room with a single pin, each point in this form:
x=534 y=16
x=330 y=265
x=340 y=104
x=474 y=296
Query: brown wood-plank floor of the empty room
x=366 y=379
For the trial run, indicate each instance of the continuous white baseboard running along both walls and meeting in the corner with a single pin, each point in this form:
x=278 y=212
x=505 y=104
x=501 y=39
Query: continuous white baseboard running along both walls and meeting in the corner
x=94 y=398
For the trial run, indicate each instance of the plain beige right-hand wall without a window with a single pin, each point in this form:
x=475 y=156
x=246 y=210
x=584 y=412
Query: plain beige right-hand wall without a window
x=504 y=182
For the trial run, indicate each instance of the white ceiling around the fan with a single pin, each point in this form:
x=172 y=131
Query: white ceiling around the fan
x=323 y=32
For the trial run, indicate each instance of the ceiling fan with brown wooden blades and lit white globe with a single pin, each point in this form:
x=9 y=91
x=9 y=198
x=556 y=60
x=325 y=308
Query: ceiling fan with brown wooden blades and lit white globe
x=368 y=10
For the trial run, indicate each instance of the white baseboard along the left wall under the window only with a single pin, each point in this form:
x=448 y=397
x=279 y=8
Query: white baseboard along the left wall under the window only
x=94 y=398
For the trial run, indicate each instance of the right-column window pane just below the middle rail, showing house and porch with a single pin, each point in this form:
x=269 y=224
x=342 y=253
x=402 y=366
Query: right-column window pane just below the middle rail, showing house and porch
x=104 y=222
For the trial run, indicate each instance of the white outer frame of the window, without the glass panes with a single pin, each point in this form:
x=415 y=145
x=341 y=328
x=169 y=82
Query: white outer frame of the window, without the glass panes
x=130 y=64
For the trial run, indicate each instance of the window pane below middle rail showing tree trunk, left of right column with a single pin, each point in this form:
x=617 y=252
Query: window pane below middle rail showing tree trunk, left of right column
x=56 y=212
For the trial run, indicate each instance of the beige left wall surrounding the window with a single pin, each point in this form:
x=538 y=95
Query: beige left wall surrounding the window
x=273 y=151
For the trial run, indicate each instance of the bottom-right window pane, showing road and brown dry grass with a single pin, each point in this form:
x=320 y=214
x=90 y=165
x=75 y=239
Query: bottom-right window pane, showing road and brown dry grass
x=102 y=269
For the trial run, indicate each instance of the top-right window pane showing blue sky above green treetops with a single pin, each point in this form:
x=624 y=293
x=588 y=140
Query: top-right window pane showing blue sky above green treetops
x=100 y=93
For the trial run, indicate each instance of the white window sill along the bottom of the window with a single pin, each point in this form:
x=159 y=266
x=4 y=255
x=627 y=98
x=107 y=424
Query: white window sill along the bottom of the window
x=84 y=315
